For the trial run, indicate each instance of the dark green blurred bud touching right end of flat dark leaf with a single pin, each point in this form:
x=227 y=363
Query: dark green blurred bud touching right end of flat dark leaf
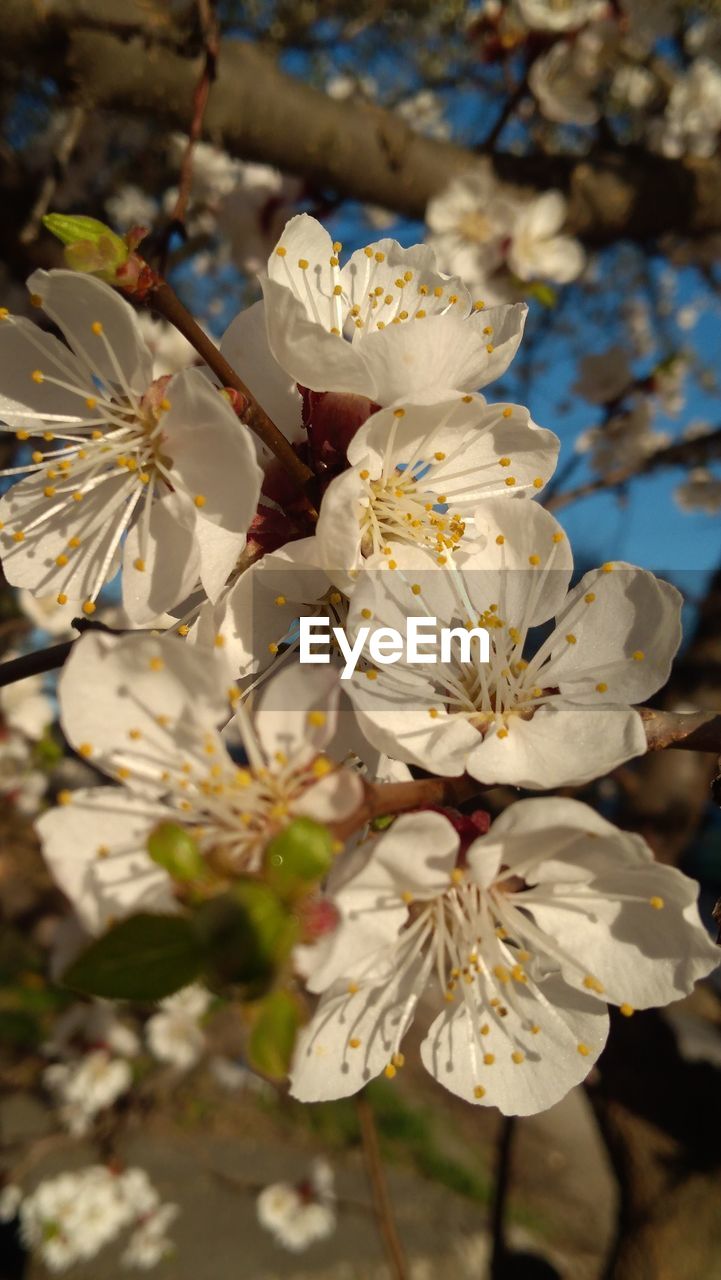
x=248 y=935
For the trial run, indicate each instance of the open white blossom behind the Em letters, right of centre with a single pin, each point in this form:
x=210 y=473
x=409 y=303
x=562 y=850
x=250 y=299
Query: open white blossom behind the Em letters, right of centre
x=515 y=719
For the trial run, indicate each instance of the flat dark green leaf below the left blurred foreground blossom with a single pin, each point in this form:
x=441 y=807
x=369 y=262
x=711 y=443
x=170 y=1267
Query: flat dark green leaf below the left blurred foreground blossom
x=143 y=958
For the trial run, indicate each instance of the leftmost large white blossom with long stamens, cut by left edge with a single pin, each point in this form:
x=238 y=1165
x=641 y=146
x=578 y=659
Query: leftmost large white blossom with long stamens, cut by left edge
x=166 y=464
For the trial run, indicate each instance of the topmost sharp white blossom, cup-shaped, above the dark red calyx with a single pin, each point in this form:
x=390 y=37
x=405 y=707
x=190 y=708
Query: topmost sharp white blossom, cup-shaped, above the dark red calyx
x=387 y=326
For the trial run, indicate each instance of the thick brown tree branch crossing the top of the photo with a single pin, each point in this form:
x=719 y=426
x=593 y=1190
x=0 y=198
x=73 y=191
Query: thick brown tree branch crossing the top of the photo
x=120 y=57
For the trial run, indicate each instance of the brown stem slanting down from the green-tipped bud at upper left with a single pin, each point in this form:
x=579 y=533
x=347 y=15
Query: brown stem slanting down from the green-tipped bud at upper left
x=167 y=303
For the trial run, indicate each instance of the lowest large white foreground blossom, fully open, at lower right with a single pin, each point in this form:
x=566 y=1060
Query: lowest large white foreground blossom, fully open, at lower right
x=522 y=941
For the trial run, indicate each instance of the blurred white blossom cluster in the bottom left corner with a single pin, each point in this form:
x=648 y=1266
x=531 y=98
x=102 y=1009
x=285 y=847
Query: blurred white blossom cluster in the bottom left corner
x=70 y=1219
